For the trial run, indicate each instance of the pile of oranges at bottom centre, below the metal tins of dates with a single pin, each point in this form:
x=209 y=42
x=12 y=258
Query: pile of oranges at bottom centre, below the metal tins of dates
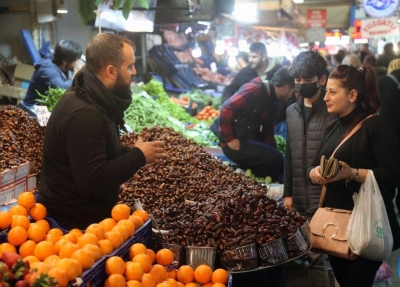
x=149 y=269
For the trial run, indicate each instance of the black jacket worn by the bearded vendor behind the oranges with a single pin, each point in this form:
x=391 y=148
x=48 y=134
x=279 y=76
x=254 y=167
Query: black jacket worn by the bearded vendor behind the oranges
x=84 y=162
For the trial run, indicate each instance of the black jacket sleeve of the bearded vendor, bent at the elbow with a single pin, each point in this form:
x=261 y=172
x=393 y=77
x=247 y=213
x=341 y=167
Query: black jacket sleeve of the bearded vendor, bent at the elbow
x=85 y=135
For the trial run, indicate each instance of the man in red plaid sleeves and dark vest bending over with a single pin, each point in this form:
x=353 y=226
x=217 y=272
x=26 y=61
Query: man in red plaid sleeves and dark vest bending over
x=246 y=124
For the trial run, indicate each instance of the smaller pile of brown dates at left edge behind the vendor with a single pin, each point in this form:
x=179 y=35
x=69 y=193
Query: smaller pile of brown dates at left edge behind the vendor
x=21 y=139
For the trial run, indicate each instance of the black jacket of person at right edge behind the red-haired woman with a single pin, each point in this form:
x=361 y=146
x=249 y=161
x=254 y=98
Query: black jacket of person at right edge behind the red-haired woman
x=390 y=94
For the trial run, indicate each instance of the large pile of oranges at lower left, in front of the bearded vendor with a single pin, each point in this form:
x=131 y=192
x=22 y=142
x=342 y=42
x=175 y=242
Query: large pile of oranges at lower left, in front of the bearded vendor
x=51 y=251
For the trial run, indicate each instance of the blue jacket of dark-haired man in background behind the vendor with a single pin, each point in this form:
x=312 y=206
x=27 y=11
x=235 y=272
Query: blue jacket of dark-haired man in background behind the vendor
x=47 y=74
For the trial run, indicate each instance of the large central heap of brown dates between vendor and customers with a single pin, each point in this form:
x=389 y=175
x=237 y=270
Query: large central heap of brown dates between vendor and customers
x=202 y=202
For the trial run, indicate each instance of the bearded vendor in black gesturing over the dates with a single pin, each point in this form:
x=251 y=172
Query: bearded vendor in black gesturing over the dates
x=84 y=162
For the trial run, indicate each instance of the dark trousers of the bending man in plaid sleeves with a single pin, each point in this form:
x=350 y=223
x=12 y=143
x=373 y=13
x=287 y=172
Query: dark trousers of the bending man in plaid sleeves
x=262 y=159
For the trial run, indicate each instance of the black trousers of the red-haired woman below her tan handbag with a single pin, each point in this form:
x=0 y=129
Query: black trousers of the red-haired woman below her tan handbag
x=354 y=273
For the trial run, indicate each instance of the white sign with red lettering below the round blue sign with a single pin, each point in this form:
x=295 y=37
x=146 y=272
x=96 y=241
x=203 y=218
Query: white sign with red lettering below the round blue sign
x=379 y=27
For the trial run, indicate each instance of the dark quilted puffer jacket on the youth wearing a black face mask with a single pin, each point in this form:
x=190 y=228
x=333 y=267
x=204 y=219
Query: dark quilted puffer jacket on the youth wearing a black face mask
x=301 y=147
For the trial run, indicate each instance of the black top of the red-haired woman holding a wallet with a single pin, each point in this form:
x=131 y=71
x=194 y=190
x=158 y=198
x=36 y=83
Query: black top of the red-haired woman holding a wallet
x=372 y=147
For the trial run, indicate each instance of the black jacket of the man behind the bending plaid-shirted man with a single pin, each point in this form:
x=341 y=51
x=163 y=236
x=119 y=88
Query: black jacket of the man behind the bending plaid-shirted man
x=244 y=76
